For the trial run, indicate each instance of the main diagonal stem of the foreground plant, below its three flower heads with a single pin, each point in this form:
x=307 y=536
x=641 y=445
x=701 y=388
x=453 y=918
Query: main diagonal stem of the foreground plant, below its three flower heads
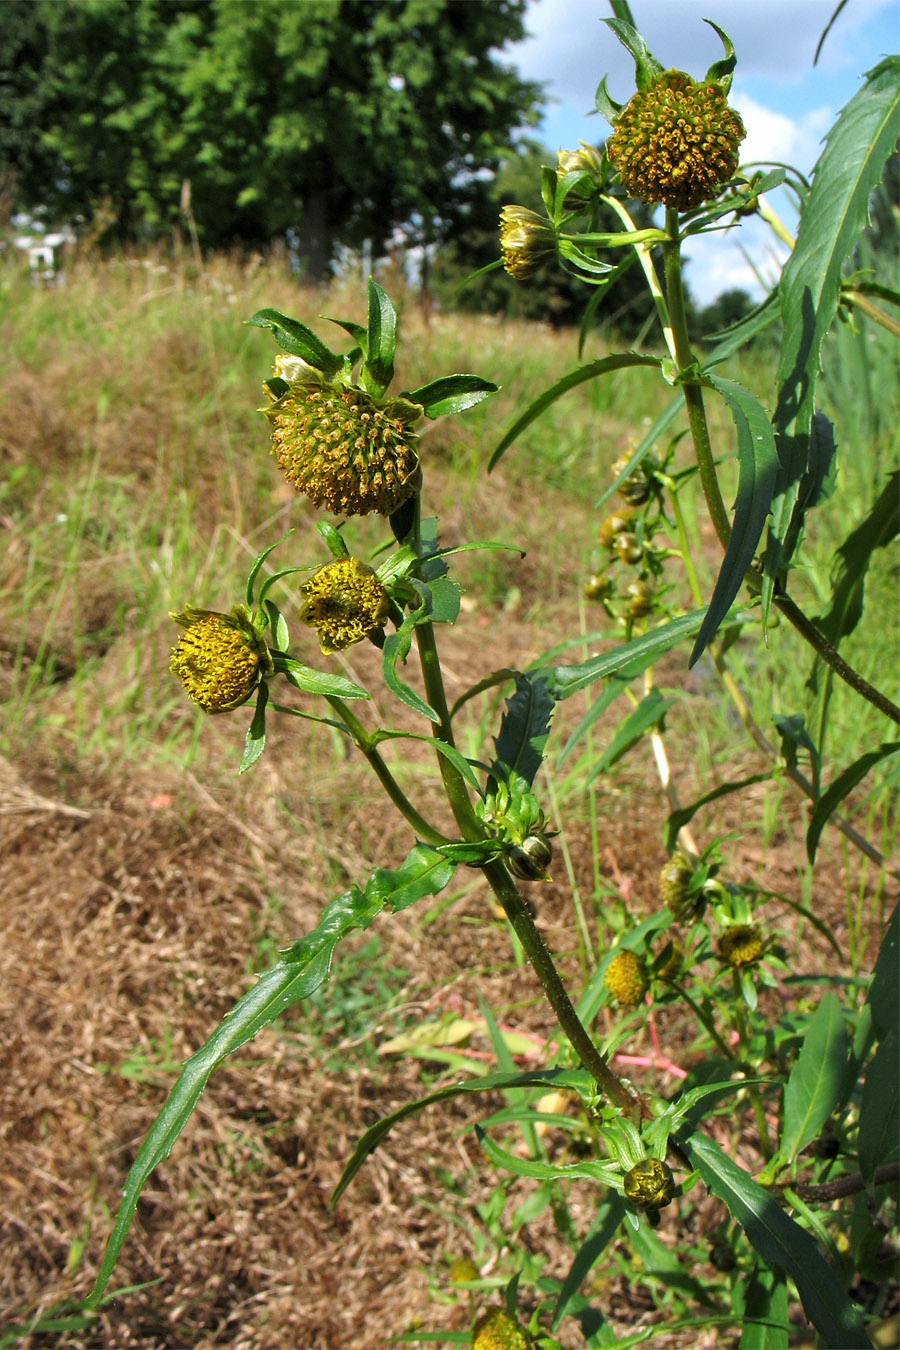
x=508 y=893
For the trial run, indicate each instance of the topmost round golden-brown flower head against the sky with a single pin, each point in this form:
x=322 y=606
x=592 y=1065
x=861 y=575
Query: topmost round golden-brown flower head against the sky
x=677 y=141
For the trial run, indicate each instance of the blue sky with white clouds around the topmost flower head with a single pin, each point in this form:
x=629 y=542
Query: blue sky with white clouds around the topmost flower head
x=786 y=102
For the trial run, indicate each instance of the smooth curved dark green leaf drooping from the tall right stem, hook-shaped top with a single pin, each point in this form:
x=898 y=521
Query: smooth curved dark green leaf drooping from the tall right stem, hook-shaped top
x=759 y=462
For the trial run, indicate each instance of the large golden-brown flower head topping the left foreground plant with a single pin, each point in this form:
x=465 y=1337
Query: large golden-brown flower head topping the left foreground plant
x=343 y=449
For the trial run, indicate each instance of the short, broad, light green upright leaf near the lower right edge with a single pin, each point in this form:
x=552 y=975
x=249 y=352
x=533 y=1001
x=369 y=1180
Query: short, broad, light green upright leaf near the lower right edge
x=817 y=1079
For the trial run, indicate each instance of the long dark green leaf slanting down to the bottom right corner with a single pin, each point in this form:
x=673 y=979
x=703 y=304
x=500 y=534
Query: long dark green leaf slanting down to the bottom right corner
x=781 y=1243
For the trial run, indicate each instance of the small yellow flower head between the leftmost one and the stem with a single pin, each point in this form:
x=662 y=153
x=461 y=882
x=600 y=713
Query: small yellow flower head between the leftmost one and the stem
x=343 y=601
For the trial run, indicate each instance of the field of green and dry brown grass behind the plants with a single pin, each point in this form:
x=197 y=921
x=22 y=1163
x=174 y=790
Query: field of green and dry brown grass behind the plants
x=145 y=882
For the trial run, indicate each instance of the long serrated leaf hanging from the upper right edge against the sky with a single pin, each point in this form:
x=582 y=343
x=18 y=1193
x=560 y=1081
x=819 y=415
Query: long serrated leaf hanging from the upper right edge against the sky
x=835 y=215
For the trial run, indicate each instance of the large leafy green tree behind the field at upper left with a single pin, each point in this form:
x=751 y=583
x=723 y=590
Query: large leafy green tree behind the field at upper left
x=339 y=119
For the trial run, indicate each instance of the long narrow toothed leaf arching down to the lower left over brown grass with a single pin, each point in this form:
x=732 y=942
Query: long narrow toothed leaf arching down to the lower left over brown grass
x=298 y=975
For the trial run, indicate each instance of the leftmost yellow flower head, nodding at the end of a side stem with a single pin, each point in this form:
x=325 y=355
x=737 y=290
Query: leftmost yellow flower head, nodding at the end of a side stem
x=219 y=659
